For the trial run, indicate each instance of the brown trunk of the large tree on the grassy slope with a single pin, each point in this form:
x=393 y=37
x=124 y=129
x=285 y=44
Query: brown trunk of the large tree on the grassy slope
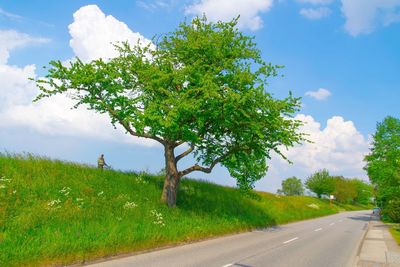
x=171 y=183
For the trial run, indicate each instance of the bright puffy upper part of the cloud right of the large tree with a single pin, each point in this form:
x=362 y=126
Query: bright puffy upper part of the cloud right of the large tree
x=339 y=147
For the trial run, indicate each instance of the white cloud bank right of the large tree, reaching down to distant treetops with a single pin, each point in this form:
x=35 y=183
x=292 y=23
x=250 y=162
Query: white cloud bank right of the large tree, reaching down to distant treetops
x=339 y=147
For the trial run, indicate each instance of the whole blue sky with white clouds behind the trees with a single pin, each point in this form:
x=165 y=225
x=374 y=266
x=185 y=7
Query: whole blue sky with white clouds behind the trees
x=341 y=56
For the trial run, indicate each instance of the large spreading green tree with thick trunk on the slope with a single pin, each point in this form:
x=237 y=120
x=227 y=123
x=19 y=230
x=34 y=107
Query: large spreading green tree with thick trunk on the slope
x=201 y=87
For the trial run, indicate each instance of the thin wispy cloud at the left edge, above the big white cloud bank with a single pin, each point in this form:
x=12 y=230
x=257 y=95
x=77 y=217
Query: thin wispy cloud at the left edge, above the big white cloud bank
x=10 y=39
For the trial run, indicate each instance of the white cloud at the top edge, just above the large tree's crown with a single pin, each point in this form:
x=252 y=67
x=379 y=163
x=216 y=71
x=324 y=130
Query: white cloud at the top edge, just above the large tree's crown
x=226 y=10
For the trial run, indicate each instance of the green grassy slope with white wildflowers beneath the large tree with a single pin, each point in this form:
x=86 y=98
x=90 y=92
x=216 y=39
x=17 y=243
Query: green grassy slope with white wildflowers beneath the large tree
x=105 y=213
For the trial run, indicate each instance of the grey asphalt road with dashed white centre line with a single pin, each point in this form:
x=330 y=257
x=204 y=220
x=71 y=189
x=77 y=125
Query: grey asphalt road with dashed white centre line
x=328 y=241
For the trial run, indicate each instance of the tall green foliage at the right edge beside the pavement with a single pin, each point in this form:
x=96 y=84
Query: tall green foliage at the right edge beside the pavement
x=383 y=162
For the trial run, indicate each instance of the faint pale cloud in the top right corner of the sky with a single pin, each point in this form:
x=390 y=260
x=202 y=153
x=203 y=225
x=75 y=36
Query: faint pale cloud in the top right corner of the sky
x=362 y=17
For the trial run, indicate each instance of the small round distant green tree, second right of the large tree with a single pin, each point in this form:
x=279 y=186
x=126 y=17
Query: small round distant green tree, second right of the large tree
x=321 y=183
